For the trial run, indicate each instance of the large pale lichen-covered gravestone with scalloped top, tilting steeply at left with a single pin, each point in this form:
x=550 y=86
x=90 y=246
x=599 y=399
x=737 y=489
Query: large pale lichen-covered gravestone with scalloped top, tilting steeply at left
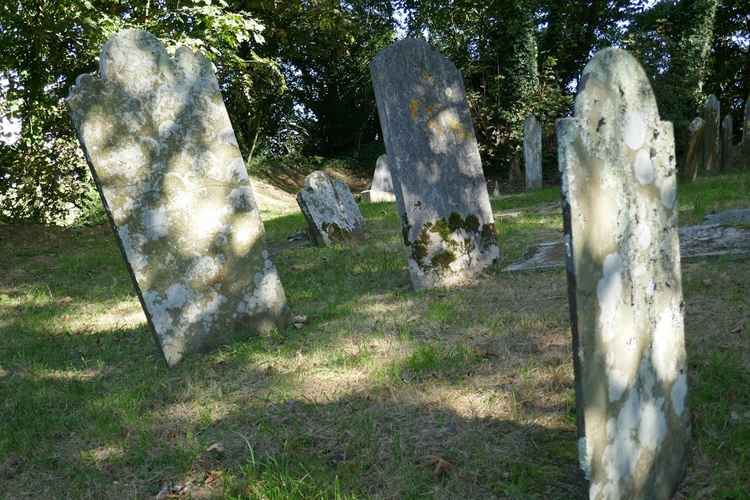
x=165 y=159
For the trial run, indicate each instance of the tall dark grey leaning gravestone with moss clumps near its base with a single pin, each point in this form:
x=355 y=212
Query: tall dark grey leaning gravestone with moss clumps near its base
x=442 y=197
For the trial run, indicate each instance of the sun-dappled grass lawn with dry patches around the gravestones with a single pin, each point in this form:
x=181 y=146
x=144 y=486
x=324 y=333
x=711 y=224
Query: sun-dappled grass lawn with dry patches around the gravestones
x=383 y=393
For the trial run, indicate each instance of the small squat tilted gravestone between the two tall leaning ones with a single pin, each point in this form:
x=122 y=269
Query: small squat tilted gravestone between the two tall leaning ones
x=330 y=210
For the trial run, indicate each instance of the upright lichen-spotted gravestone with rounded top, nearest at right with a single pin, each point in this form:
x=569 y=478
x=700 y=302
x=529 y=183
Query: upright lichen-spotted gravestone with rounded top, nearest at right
x=619 y=185
